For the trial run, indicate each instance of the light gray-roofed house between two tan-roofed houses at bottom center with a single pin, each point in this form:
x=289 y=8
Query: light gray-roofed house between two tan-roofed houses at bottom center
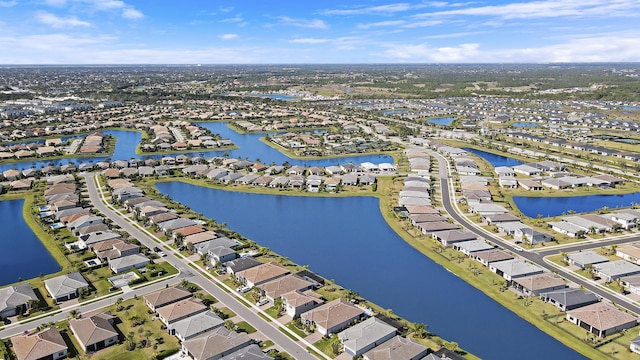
x=366 y=335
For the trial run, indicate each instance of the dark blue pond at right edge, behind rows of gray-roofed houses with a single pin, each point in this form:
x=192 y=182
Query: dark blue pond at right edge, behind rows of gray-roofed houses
x=555 y=206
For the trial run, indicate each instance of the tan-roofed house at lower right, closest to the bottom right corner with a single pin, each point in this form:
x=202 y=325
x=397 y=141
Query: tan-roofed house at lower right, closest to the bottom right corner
x=601 y=319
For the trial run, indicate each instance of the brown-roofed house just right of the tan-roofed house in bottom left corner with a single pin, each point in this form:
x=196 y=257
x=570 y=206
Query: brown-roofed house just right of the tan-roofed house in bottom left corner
x=95 y=332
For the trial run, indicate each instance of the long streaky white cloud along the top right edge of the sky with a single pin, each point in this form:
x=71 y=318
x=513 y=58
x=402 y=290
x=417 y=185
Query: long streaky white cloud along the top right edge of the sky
x=548 y=9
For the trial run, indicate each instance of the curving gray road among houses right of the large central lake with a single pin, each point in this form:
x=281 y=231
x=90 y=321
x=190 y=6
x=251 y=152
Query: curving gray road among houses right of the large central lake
x=534 y=257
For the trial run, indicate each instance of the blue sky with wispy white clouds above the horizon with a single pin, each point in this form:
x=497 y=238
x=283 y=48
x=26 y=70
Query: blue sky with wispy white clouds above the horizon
x=301 y=31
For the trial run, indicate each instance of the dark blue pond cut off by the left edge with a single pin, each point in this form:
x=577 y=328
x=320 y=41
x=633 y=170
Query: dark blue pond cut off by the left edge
x=27 y=257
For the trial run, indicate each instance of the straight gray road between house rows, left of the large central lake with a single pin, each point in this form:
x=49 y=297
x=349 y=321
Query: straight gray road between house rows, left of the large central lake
x=268 y=329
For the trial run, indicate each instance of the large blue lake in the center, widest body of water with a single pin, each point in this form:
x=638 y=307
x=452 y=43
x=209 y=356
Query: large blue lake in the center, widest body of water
x=346 y=239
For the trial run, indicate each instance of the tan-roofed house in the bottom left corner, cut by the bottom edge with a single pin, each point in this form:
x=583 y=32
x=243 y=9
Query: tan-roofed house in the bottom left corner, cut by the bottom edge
x=46 y=344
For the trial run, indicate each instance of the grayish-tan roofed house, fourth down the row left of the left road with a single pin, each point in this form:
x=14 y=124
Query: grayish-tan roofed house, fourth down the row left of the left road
x=215 y=344
